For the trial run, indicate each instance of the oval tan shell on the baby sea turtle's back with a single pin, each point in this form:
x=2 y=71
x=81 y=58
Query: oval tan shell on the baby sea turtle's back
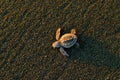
x=68 y=40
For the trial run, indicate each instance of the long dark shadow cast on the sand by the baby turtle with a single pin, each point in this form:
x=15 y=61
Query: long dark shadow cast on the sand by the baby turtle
x=93 y=52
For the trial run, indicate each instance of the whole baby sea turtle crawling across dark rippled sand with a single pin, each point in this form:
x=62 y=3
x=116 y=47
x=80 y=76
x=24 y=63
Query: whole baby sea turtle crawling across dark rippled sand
x=65 y=41
